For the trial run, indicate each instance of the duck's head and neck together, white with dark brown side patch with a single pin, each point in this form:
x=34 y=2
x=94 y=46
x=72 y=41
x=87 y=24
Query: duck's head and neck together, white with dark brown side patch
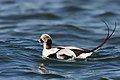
x=46 y=40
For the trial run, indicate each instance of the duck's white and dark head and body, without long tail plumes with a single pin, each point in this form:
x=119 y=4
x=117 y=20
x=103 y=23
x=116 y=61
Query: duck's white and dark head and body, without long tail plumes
x=61 y=52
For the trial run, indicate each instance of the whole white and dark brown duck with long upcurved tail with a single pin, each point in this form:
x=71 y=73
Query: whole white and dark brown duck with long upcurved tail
x=69 y=53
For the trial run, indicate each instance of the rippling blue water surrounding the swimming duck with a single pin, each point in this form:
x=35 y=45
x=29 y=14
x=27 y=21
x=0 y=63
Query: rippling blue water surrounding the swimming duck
x=69 y=22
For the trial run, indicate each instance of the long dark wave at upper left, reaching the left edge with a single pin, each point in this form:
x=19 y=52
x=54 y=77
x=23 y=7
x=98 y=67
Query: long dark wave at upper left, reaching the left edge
x=48 y=16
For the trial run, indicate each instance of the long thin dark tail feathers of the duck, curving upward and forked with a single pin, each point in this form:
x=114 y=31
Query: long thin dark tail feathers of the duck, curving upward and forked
x=107 y=37
